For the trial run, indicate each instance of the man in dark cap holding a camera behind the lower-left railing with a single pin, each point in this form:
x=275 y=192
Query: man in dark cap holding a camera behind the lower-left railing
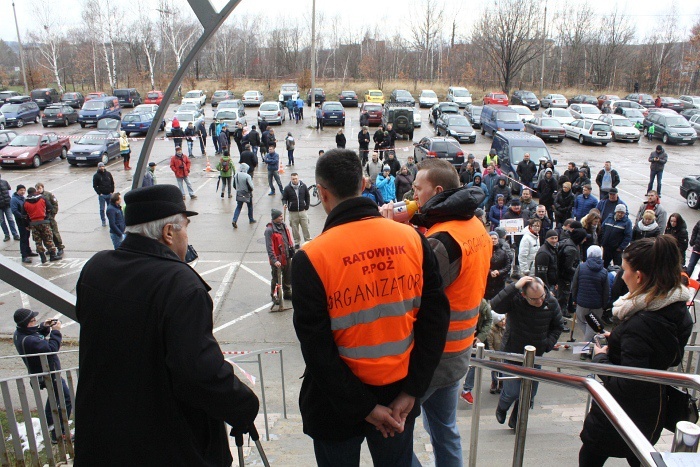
x=32 y=337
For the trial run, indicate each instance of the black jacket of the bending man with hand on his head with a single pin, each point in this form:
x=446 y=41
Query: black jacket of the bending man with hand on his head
x=527 y=324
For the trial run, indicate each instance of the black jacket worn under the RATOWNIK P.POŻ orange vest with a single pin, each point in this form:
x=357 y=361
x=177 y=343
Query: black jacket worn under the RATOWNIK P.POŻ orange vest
x=333 y=401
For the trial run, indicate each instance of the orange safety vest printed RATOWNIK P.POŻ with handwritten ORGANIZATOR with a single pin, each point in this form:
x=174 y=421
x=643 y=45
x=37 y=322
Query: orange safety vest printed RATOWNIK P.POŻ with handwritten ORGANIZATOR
x=372 y=273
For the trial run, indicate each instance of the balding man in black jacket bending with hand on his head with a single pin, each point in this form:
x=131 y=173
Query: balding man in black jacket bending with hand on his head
x=533 y=319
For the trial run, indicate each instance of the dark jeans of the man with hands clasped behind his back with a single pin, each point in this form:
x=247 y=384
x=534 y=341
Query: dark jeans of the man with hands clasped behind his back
x=391 y=451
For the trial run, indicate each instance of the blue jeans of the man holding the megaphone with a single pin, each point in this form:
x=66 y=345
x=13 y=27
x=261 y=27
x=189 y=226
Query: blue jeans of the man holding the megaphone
x=440 y=421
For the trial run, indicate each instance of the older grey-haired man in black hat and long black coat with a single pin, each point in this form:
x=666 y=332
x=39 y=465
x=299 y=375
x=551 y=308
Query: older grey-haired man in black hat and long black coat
x=151 y=372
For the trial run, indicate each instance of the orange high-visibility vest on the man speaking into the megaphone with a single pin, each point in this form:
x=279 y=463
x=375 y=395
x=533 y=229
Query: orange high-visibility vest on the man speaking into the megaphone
x=467 y=290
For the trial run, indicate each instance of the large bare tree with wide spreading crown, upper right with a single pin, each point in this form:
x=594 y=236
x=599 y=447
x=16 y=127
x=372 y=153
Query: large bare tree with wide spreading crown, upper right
x=510 y=35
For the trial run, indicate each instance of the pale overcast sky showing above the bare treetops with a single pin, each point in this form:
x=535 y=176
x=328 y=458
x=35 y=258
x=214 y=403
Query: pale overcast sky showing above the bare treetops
x=392 y=15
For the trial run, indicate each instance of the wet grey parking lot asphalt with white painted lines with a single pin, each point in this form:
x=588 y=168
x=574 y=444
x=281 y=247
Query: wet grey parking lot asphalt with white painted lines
x=234 y=262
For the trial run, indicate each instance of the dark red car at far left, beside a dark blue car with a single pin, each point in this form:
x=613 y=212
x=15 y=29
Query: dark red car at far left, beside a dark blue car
x=34 y=149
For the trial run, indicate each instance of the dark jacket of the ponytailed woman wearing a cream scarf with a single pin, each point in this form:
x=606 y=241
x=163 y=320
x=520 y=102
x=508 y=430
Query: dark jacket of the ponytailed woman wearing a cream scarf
x=650 y=340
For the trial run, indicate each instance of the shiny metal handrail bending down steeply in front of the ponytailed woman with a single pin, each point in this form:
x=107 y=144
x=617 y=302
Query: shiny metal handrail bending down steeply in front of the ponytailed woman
x=624 y=425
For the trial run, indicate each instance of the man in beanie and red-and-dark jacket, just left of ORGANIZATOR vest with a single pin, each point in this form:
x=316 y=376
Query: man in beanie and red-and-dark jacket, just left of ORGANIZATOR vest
x=280 y=250
